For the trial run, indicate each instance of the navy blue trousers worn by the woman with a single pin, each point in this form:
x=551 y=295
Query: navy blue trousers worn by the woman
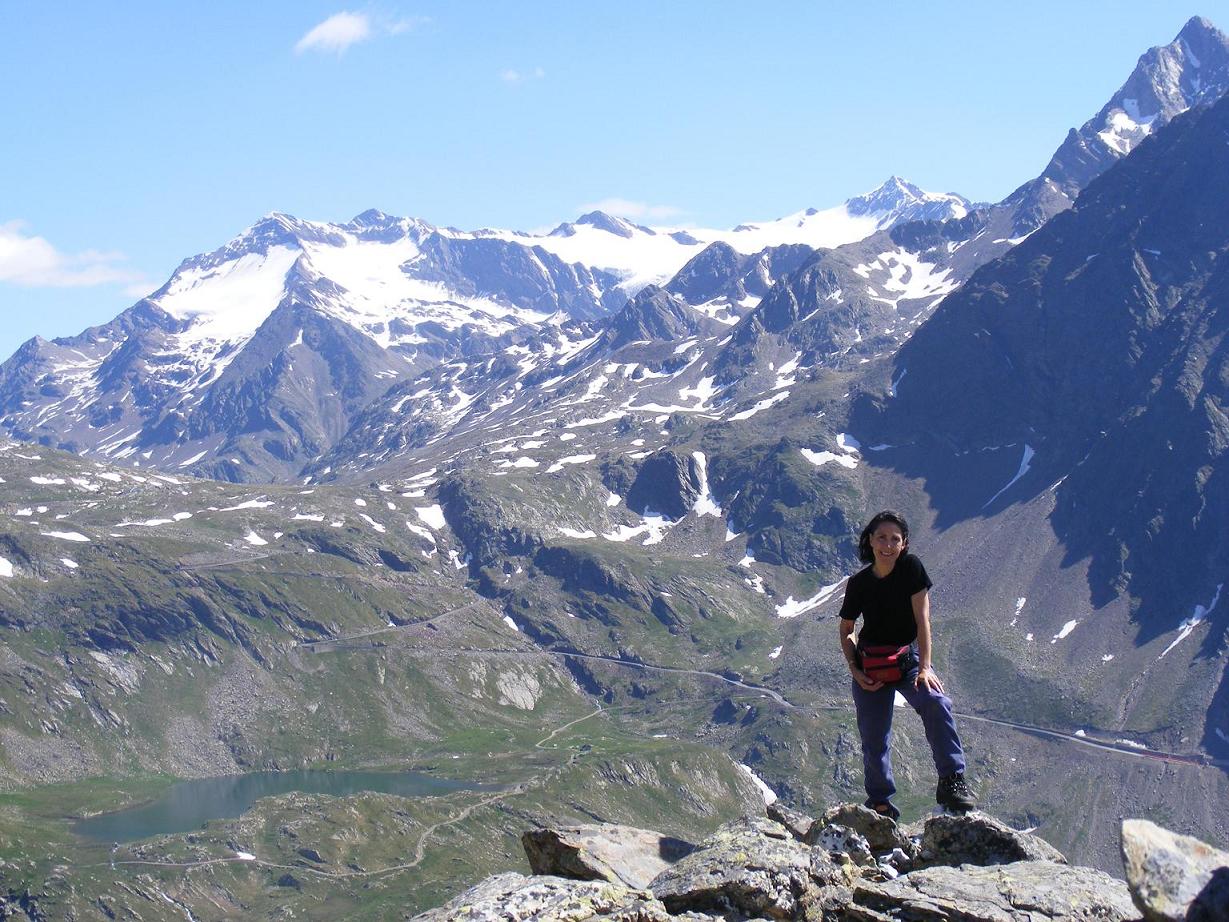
x=876 y=727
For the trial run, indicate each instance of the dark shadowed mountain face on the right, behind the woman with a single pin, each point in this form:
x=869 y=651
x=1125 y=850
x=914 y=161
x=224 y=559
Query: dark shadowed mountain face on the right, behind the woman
x=1097 y=353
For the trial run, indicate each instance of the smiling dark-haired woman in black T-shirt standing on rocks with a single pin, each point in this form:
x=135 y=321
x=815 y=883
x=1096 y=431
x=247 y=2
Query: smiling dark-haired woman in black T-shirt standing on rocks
x=893 y=655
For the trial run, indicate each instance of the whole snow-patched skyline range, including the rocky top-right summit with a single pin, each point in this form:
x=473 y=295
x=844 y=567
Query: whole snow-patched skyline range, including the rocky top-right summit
x=256 y=361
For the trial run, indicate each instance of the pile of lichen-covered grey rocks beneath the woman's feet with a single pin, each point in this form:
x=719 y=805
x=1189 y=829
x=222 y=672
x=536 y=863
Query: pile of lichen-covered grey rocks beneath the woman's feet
x=849 y=866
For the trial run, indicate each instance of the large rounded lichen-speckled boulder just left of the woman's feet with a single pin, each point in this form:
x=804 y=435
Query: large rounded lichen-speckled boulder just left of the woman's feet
x=754 y=869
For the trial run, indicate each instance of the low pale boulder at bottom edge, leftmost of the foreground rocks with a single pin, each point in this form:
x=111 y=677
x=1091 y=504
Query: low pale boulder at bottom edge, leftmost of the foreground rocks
x=516 y=898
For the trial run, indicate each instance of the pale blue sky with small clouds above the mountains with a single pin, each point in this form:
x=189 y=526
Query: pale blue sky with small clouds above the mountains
x=142 y=133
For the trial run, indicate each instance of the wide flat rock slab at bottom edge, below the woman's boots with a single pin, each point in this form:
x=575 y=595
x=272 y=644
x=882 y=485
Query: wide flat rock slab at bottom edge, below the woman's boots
x=1038 y=892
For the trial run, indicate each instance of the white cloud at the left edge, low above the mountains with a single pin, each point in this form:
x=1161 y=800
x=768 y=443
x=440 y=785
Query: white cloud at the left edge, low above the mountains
x=34 y=262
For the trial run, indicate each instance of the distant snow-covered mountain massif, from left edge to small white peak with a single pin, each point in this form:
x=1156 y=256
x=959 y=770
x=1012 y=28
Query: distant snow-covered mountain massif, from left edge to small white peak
x=254 y=360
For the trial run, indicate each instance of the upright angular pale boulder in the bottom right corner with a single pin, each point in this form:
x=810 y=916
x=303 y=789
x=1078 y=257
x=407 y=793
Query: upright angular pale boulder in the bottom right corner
x=1174 y=878
